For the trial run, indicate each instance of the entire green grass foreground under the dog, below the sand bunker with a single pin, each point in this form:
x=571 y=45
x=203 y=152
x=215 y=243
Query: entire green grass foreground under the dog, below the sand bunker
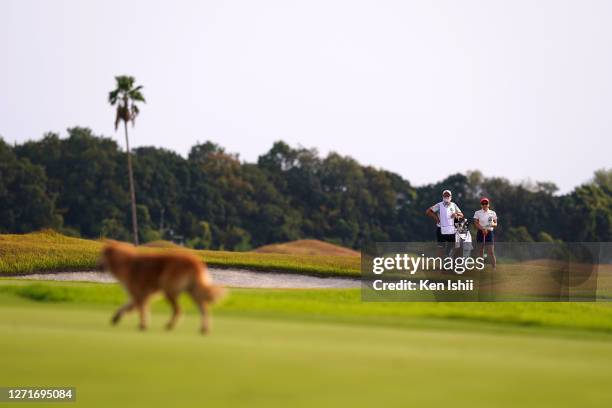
x=305 y=348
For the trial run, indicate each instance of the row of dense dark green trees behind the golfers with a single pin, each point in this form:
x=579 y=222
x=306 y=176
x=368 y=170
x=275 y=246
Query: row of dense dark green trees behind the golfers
x=211 y=199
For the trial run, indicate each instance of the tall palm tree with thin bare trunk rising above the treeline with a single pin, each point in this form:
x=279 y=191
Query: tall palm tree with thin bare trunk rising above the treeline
x=125 y=97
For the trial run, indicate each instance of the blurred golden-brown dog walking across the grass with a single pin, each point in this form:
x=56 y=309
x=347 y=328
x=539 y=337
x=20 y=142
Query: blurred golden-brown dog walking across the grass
x=171 y=272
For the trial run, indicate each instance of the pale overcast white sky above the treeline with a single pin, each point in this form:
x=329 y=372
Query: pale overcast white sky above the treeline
x=519 y=89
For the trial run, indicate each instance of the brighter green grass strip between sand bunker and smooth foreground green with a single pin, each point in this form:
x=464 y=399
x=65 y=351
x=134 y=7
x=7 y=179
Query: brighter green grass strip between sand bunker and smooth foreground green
x=340 y=306
